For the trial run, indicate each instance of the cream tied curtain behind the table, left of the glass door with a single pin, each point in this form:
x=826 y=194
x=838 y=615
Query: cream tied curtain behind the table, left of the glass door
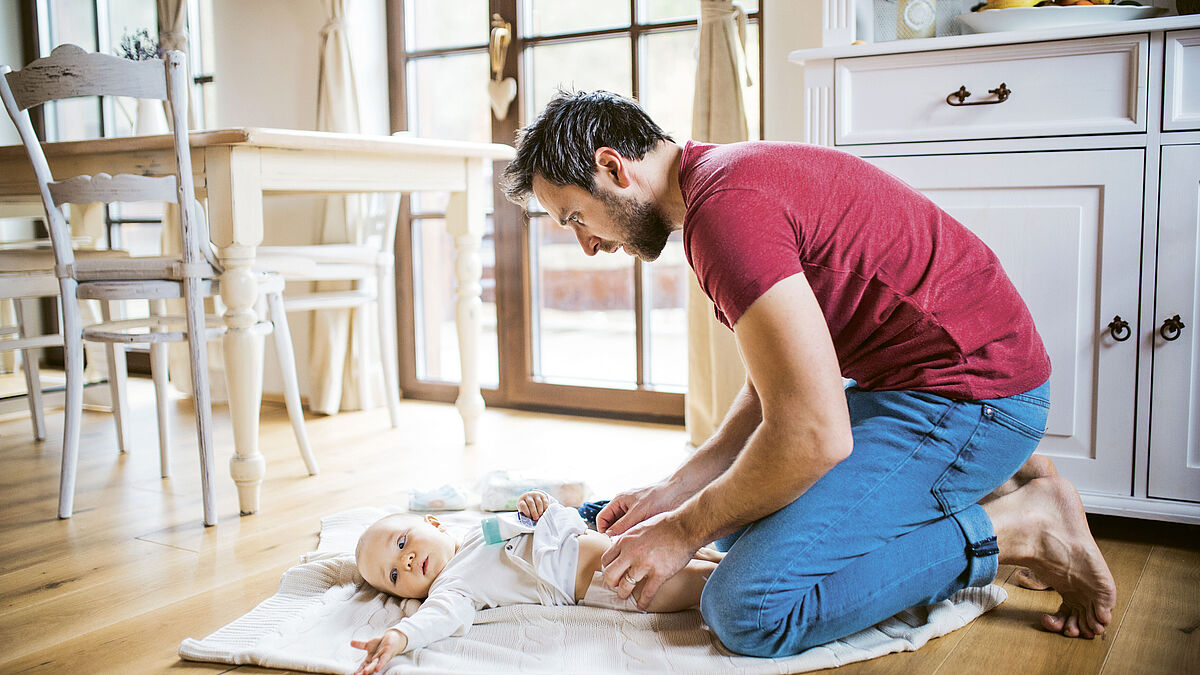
x=340 y=337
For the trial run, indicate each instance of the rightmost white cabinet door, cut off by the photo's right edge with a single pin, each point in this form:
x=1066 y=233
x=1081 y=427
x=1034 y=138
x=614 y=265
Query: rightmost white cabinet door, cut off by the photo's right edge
x=1175 y=398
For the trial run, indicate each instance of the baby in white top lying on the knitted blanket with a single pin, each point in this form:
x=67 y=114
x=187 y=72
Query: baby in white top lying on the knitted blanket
x=555 y=563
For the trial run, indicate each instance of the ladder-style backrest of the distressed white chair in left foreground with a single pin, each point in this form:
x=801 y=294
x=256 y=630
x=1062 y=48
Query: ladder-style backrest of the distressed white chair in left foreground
x=70 y=73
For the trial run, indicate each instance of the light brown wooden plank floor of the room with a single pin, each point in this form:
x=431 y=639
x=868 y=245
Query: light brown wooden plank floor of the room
x=118 y=587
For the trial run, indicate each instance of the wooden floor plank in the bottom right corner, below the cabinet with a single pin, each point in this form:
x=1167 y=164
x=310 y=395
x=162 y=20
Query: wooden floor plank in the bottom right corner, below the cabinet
x=1161 y=632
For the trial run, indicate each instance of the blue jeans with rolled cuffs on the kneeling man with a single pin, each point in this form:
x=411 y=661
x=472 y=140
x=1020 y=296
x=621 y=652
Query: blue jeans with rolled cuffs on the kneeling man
x=895 y=525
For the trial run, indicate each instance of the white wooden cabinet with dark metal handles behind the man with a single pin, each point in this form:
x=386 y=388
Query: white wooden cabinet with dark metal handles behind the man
x=1085 y=180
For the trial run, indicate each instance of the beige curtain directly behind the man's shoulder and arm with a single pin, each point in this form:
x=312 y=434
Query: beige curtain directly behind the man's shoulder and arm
x=715 y=369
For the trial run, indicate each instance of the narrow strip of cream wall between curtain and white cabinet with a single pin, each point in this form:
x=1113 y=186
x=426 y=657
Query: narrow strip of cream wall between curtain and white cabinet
x=788 y=26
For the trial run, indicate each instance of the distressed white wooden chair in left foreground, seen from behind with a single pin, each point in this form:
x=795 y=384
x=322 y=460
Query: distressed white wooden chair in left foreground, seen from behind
x=69 y=73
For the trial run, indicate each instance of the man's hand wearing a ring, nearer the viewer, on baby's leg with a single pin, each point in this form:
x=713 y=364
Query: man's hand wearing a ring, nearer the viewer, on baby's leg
x=647 y=555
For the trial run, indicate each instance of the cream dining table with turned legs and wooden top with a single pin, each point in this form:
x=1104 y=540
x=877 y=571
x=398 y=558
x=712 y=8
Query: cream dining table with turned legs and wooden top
x=235 y=170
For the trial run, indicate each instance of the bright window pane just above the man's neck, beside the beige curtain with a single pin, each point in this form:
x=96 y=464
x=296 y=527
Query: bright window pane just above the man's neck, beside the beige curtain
x=669 y=80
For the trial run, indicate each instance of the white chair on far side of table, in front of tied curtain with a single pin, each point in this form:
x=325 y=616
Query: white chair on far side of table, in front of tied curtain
x=369 y=267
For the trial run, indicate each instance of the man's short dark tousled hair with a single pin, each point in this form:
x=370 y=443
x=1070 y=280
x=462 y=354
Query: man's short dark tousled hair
x=561 y=145
